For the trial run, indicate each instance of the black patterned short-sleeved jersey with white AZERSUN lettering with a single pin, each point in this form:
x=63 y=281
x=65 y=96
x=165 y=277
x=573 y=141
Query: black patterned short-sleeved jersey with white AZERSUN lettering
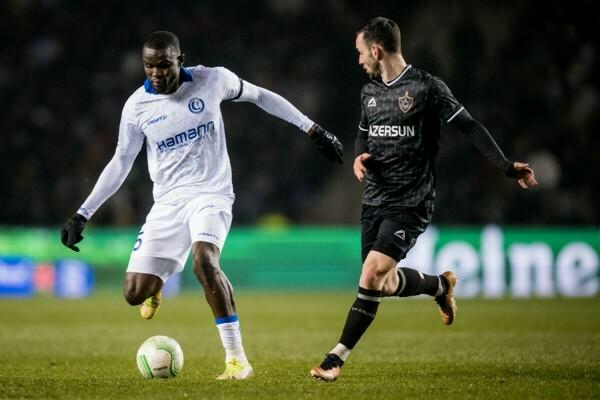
x=400 y=123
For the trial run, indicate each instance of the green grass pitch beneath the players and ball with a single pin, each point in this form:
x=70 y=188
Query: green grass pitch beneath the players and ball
x=511 y=349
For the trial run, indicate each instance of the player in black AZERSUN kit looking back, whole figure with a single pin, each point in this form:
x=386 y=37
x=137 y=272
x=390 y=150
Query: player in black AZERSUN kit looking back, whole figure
x=403 y=108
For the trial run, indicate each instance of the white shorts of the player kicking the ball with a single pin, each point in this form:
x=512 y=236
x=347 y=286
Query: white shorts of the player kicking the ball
x=165 y=240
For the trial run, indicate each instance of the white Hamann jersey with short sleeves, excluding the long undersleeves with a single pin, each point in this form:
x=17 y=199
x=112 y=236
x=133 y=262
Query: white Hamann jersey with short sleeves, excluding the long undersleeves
x=185 y=134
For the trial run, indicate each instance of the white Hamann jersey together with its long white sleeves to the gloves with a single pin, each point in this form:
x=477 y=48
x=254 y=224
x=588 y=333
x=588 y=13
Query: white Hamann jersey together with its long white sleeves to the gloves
x=185 y=136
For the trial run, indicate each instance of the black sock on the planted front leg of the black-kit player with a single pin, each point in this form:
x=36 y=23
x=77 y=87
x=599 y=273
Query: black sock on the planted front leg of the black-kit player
x=360 y=316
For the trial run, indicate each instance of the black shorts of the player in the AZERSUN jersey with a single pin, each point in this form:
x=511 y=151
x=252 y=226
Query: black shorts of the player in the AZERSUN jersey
x=392 y=230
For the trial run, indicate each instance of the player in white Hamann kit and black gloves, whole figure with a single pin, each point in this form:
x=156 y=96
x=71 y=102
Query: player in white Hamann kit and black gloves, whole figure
x=177 y=111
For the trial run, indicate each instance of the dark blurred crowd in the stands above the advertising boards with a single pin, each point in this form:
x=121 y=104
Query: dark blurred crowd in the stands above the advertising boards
x=528 y=73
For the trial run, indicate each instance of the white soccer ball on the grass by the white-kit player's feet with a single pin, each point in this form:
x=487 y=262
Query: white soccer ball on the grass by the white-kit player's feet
x=160 y=357
